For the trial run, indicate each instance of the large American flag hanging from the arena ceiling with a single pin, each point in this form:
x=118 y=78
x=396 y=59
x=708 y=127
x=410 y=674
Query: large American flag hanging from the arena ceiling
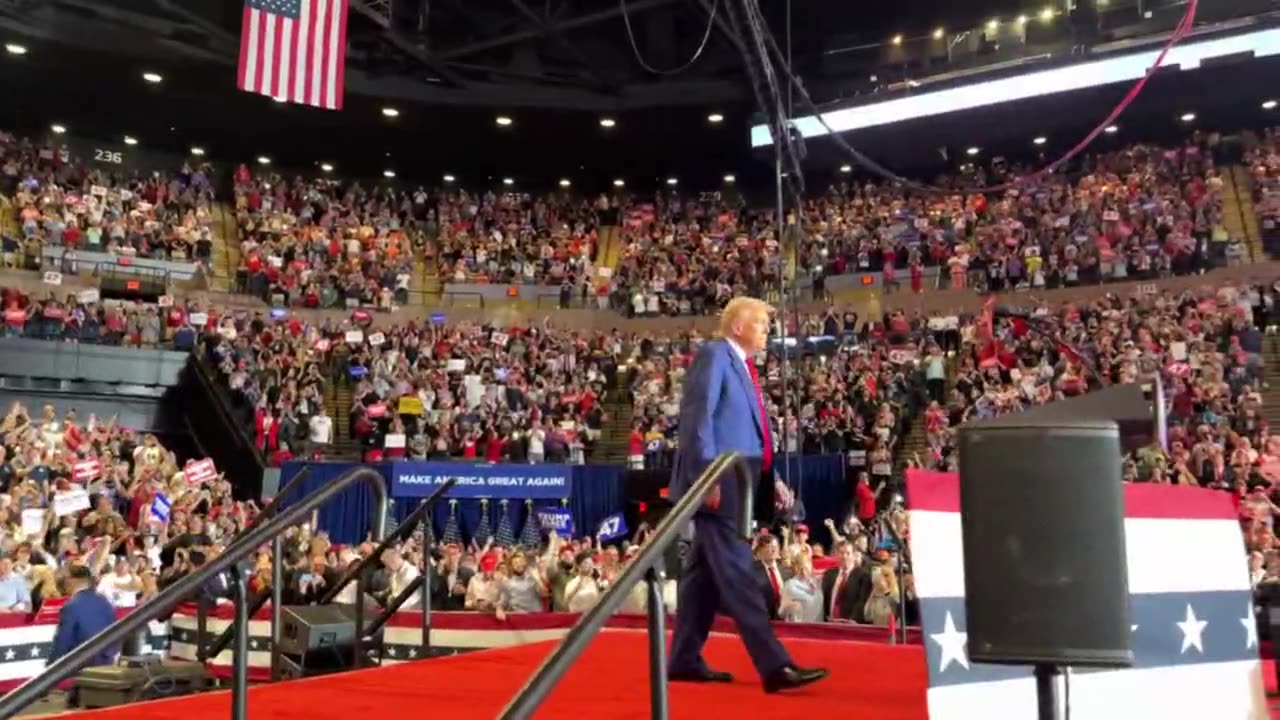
x=295 y=51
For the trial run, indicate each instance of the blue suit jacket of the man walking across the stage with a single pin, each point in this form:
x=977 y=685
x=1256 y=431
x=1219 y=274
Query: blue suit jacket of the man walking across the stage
x=720 y=412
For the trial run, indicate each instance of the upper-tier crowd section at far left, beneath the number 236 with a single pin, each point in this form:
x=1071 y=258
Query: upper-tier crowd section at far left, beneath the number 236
x=61 y=200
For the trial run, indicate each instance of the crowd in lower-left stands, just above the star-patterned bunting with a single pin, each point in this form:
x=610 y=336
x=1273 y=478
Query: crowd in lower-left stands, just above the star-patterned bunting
x=89 y=493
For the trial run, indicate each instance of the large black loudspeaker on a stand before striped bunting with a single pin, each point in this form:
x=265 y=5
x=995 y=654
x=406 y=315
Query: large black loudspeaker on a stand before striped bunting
x=1043 y=517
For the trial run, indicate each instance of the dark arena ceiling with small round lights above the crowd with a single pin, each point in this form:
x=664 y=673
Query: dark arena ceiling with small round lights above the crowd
x=556 y=67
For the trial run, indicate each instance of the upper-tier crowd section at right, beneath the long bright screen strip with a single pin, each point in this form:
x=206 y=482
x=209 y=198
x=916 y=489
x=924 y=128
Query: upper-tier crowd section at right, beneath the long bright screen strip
x=1141 y=212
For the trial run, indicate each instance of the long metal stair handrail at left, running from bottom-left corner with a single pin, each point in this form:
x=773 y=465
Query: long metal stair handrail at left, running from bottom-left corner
x=163 y=604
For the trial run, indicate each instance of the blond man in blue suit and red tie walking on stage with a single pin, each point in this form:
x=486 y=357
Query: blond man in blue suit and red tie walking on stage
x=724 y=411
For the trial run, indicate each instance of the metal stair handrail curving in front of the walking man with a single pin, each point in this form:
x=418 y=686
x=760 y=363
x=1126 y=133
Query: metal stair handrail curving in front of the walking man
x=552 y=669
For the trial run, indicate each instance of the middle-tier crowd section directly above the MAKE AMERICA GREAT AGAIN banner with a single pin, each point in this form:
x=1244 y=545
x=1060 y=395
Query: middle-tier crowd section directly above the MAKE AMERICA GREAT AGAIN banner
x=420 y=391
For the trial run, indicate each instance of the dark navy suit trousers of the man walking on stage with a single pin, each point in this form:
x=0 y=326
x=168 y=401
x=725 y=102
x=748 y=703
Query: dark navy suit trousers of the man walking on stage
x=719 y=571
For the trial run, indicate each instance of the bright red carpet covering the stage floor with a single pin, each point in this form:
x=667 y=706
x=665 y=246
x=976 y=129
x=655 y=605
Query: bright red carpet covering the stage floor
x=609 y=682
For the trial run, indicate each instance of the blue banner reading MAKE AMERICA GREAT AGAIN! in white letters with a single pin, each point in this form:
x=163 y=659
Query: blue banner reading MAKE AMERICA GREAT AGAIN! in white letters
x=516 y=482
